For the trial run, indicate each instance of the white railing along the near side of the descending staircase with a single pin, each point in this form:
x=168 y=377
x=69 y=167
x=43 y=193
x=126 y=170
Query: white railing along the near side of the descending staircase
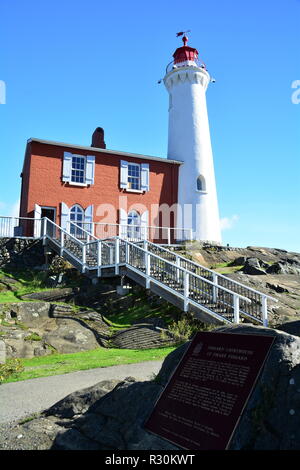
x=219 y=301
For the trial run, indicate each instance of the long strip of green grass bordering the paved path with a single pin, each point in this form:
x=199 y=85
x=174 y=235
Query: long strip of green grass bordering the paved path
x=57 y=364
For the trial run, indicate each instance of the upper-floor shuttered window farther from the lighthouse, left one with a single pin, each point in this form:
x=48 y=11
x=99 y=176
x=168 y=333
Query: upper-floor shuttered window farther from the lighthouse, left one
x=78 y=169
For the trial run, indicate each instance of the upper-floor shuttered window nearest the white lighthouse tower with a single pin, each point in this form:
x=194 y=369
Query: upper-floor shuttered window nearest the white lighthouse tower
x=134 y=176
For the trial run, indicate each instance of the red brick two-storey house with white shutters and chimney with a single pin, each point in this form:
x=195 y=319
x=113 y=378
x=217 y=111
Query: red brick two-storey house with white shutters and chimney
x=98 y=189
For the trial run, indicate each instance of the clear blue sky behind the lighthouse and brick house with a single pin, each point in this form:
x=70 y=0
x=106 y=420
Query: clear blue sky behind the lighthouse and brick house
x=70 y=66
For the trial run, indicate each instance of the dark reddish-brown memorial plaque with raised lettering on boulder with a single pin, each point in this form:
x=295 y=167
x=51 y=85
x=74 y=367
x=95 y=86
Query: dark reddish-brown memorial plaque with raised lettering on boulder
x=205 y=397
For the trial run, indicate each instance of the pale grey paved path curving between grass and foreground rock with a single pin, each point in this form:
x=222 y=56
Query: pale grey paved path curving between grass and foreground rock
x=20 y=399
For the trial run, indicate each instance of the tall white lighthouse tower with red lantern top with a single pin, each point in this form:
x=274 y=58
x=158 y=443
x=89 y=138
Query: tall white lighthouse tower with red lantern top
x=189 y=141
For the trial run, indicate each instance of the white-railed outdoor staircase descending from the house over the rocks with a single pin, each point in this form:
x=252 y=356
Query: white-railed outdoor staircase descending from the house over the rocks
x=192 y=287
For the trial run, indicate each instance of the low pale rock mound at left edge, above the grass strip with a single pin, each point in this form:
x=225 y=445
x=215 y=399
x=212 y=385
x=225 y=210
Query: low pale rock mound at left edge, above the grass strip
x=31 y=329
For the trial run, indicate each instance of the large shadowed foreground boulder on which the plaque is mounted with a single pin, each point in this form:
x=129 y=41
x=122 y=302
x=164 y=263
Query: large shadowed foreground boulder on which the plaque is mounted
x=111 y=416
